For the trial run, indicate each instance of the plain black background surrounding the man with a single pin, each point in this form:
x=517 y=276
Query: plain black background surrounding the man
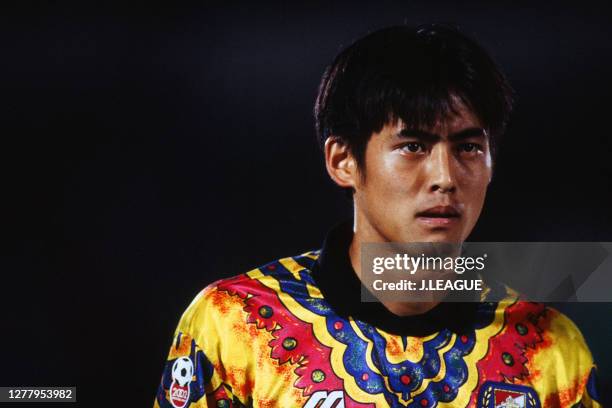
x=148 y=151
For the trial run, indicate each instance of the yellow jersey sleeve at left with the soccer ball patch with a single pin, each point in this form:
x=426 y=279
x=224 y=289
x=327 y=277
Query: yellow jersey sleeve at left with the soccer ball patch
x=190 y=379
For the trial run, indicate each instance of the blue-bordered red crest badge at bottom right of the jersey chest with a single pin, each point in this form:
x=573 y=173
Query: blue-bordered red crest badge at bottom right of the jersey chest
x=503 y=395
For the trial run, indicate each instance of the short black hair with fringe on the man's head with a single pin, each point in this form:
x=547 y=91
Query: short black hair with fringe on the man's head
x=414 y=74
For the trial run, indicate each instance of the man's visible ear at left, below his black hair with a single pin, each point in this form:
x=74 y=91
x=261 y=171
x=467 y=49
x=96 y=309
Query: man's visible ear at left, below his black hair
x=340 y=163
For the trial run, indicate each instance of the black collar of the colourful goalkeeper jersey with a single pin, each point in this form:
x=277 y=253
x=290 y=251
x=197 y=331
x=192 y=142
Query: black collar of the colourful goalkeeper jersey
x=341 y=288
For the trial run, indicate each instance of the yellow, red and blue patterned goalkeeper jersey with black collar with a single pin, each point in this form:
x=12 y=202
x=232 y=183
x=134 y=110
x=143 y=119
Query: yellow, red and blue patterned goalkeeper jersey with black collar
x=294 y=333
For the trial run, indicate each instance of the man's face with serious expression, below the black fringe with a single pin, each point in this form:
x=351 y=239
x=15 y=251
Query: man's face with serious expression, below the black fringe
x=424 y=185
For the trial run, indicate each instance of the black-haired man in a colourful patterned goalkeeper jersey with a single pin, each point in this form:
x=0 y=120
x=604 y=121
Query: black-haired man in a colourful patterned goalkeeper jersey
x=409 y=121
